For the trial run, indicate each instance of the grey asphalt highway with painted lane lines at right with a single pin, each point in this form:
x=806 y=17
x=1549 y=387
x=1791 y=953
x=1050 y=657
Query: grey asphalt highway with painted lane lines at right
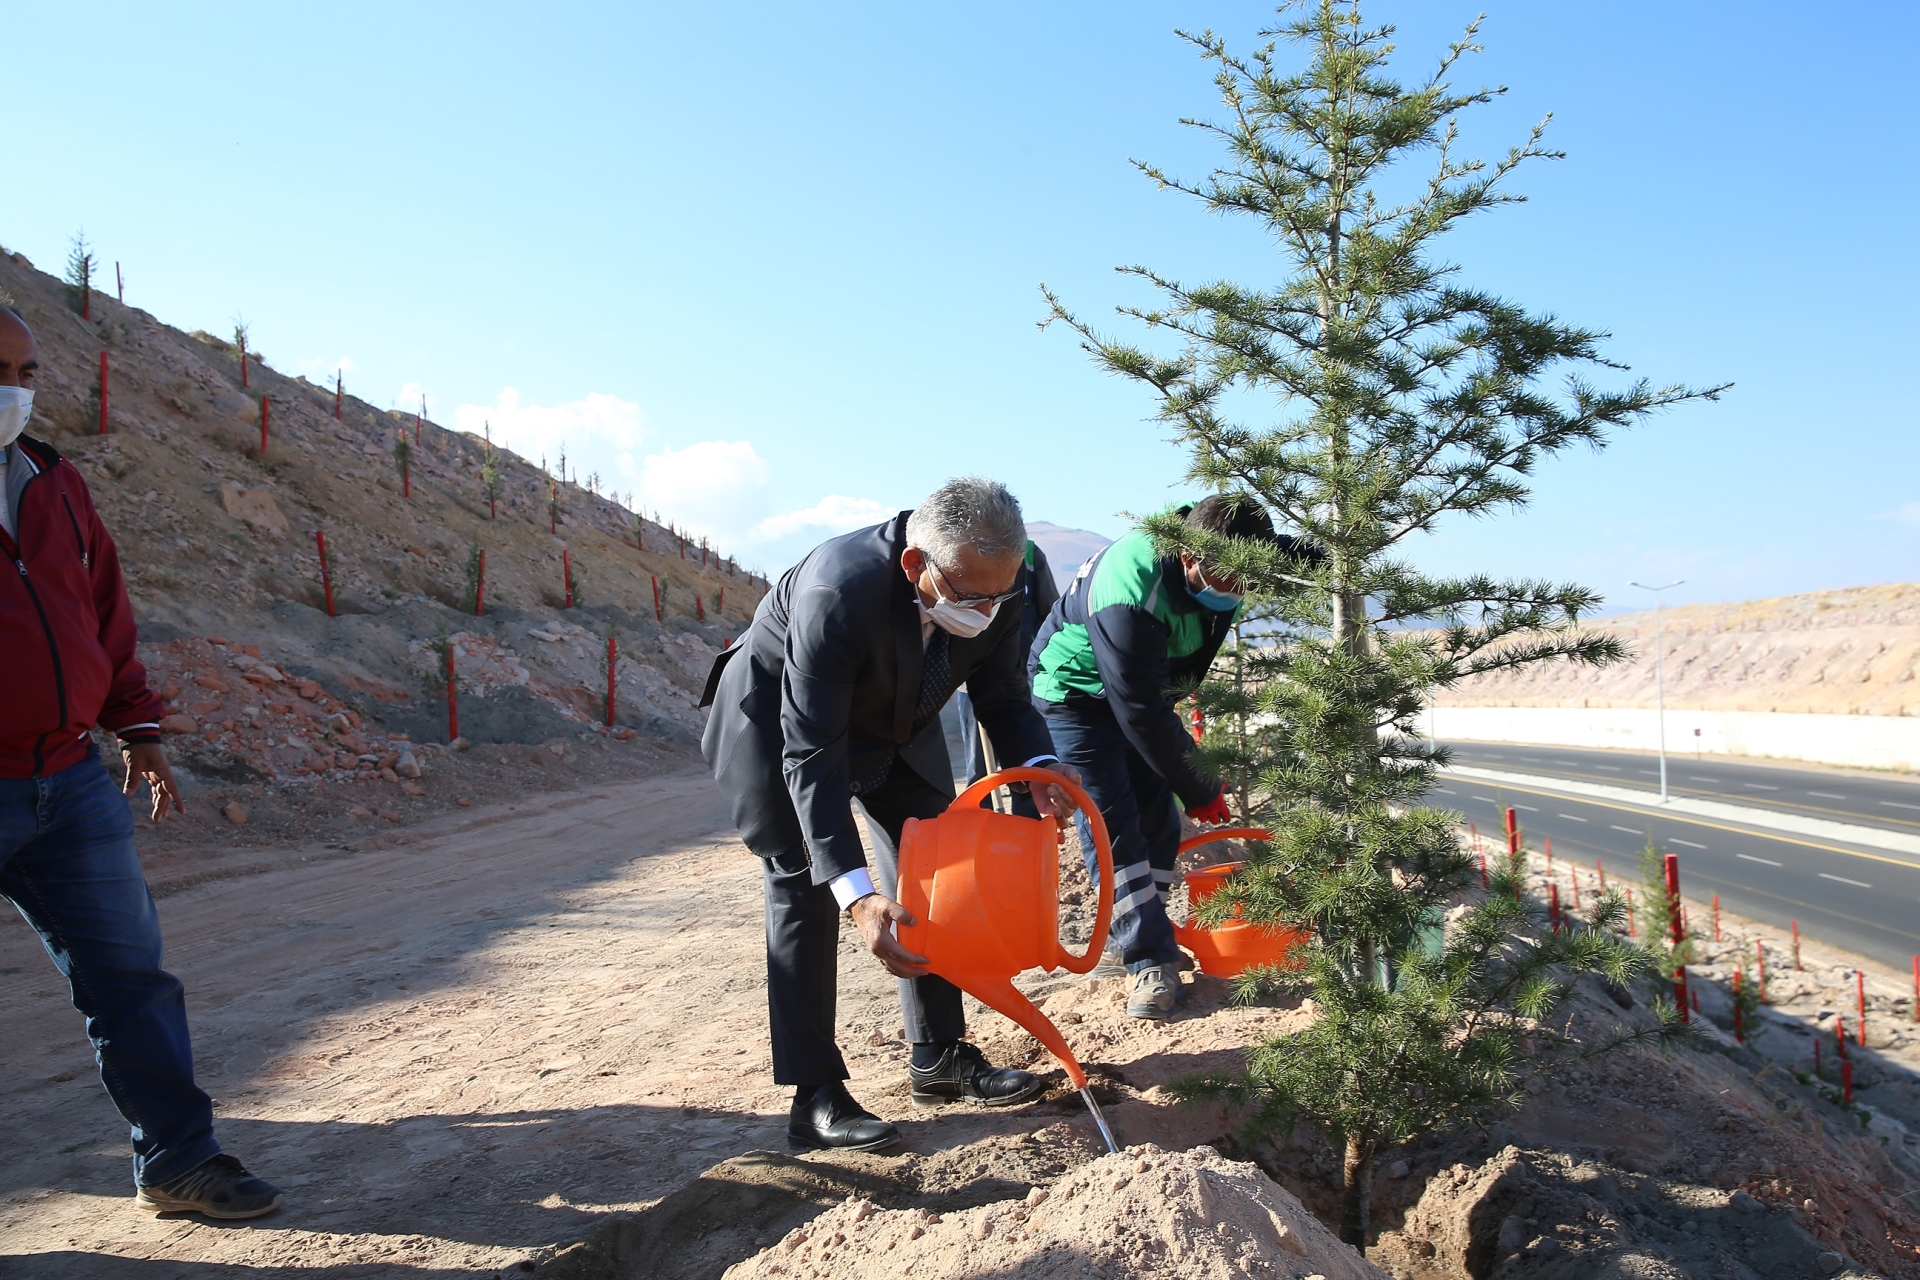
x=1856 y=897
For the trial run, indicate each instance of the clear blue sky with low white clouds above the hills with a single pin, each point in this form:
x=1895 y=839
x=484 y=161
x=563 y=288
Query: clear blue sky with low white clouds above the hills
x=777 y=270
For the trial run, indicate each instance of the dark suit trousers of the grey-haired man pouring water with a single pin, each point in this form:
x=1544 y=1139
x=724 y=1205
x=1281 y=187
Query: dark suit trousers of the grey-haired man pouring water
x=804 y=945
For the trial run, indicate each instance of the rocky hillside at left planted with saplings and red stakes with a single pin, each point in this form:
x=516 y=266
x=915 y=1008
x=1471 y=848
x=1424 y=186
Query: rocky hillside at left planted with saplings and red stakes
x=277 y=701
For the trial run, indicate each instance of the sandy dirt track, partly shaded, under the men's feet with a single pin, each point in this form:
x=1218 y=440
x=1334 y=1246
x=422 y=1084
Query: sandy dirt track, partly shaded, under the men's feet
x=481 y=1041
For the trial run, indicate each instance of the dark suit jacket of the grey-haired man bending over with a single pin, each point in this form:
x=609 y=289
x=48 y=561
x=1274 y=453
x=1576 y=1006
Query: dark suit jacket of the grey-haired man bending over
x=823 y=688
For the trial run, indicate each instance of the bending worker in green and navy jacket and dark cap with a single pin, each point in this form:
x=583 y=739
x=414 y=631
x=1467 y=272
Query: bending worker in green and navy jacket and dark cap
x=1132 y=630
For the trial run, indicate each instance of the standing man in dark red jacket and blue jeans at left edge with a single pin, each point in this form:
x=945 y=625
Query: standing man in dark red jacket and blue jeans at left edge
x=66 y=832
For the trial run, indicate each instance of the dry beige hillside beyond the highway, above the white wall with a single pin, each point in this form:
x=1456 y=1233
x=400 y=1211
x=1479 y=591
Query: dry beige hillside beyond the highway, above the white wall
x=1850 y=653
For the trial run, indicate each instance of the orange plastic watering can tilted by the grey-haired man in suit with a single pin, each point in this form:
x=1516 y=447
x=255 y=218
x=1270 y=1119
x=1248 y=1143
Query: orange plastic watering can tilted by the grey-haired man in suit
x=986 y=889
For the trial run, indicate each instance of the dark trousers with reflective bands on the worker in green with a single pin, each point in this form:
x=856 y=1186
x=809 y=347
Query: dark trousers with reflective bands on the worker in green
x=1143 y=820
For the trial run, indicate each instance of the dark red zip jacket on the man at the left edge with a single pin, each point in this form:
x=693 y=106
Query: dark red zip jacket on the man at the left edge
x=66 y=625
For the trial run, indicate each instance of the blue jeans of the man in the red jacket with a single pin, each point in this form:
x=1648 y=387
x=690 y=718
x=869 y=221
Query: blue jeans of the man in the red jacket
x=68 y=865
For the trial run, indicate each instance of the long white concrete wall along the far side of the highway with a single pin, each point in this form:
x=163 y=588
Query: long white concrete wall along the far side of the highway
x=1860 y=742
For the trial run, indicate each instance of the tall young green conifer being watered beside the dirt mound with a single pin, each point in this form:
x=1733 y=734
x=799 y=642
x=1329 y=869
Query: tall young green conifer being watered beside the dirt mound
x=1399 y=396
